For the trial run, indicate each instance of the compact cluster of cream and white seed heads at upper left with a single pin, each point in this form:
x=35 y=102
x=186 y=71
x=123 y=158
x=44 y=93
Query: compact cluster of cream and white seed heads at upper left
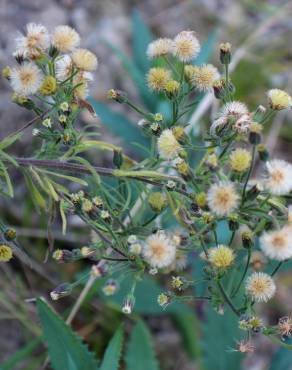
x=46 y=61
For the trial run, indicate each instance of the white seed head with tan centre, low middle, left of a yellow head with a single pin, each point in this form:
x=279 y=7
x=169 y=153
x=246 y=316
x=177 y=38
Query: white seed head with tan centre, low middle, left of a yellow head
x=159 y=250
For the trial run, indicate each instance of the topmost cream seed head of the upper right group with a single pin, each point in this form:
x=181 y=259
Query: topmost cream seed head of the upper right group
x=186 y=46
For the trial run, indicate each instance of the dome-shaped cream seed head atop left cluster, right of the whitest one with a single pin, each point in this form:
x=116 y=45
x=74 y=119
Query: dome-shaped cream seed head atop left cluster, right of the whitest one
x=65 y=39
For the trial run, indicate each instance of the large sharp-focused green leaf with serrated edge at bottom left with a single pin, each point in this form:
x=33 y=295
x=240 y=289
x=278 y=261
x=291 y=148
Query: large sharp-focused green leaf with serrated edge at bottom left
x=64 y=346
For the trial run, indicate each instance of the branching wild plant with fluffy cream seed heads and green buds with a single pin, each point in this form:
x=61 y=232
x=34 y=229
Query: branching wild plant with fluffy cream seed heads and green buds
x=51 y=78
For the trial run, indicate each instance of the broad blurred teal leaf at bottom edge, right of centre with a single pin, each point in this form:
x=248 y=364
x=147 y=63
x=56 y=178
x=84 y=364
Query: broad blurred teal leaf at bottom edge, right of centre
x=219 y=336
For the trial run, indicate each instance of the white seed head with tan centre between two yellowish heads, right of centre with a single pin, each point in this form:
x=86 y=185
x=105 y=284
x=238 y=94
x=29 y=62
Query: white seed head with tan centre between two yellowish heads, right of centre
x=222 y=198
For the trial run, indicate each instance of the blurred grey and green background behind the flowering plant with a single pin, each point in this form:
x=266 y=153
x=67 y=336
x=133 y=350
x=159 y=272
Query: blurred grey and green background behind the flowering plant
x=118 y=31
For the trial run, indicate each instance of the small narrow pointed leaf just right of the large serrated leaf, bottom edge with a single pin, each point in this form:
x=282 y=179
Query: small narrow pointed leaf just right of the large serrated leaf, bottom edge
x=113 y=352
